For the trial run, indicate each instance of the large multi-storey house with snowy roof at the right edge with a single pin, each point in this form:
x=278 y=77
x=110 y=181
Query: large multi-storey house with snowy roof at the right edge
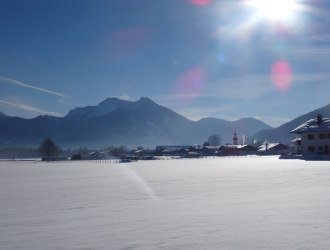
x=315 y=136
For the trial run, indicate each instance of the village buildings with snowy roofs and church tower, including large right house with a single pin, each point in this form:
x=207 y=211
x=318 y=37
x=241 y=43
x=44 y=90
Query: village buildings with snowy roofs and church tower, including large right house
x=313 y=142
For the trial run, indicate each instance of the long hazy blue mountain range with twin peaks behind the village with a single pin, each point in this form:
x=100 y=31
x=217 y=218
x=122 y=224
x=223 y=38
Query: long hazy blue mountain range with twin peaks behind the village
x=119 y=122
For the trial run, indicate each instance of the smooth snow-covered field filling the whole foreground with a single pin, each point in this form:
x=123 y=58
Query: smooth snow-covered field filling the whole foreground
x=229 y=203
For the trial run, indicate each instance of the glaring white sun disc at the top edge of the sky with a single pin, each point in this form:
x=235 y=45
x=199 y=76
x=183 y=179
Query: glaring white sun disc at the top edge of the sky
x=275 y=10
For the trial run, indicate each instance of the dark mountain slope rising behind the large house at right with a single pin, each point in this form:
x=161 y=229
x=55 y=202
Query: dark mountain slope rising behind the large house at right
x=282 y=133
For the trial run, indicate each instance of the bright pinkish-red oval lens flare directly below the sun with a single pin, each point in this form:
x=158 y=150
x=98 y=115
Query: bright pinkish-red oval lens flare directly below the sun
x=282 y=75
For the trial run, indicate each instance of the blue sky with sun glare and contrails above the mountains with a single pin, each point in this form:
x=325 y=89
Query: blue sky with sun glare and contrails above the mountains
x=226 y=59
